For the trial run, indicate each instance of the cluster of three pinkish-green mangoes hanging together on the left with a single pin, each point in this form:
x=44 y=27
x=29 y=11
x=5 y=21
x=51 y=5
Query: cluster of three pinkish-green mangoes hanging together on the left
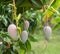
x=13 y=32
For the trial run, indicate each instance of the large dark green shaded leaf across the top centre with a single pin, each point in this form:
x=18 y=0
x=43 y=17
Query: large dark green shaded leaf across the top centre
x=36 y=4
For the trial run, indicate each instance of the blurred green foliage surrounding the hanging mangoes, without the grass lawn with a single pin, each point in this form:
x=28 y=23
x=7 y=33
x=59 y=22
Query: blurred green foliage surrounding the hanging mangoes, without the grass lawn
x=37 y=12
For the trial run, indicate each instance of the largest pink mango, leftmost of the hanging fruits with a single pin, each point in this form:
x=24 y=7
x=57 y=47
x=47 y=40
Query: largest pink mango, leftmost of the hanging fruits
x=12 y=31
